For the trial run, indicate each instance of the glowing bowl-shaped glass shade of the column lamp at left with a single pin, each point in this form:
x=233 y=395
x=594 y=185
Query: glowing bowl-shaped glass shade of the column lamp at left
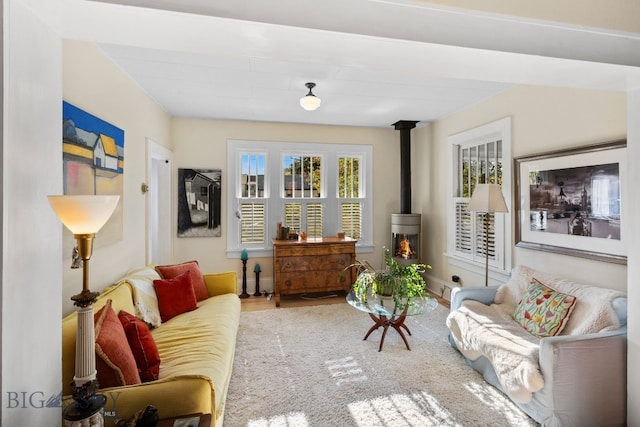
x=83 y=214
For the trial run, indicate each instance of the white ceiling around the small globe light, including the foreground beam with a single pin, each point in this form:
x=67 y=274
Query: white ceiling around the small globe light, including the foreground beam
x=374 y=62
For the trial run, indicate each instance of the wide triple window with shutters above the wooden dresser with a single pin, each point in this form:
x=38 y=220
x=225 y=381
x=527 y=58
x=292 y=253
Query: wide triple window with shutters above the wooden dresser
x=320 y=190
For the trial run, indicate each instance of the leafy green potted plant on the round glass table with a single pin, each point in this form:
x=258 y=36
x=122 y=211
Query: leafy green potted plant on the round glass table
x=401 y=282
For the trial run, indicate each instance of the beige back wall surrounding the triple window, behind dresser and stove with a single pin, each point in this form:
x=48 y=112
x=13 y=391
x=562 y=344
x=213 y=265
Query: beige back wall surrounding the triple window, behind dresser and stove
x=203 y=144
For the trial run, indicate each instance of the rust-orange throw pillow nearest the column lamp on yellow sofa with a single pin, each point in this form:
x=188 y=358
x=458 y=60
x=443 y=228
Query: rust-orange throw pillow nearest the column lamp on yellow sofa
x=115 y=363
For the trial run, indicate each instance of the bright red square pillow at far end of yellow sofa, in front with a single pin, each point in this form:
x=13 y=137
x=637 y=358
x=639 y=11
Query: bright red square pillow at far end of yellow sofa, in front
x=175 y=296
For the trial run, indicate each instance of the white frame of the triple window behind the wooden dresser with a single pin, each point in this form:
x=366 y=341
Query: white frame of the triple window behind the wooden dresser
x=274 y=153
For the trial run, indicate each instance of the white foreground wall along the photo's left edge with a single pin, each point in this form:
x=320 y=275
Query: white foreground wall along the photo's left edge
x=31 y=233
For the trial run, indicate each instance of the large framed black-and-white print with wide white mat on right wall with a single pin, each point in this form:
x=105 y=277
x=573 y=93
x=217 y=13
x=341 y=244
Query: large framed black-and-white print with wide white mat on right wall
x=572 y=202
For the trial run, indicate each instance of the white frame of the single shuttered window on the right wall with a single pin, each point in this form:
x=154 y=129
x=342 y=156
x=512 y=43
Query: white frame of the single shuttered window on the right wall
x=500 y=267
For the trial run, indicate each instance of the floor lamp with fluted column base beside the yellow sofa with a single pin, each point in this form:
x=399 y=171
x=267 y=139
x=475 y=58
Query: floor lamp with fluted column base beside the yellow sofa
x=84 y=216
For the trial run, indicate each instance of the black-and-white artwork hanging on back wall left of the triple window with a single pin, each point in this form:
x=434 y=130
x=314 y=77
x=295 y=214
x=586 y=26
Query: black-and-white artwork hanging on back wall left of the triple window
x=199 y=202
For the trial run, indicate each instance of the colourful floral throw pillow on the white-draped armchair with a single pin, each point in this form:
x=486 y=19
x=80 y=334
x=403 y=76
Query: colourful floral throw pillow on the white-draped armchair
x=542 y=311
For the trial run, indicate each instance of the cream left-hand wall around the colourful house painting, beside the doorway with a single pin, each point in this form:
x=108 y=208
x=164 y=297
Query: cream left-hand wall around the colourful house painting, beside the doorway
x=95 y=84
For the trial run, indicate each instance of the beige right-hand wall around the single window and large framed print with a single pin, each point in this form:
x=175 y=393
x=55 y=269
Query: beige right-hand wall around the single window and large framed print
x=543 y=119
